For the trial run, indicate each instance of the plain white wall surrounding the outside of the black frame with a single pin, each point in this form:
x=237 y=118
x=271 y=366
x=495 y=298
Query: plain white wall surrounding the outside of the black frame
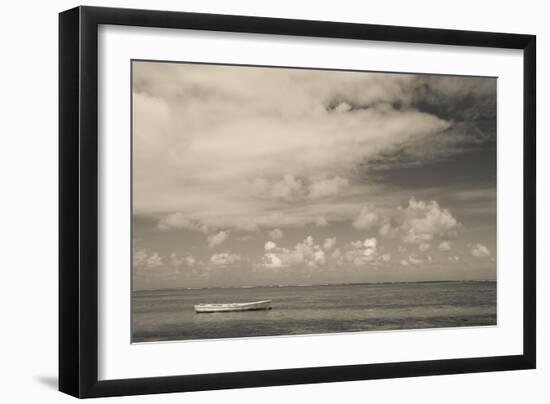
x=28 y=175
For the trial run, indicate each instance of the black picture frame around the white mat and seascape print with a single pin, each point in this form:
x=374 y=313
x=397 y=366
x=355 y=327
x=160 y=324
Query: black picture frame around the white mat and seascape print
x=78 y=201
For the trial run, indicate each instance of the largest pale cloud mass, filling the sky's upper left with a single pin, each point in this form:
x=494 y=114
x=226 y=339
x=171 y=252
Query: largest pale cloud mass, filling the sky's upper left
x=199 y=128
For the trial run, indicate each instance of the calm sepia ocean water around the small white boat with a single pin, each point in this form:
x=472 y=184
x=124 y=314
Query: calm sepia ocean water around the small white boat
x=167 y=315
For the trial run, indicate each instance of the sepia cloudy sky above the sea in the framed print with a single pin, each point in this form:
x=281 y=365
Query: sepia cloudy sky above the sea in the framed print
x=247 y=176
